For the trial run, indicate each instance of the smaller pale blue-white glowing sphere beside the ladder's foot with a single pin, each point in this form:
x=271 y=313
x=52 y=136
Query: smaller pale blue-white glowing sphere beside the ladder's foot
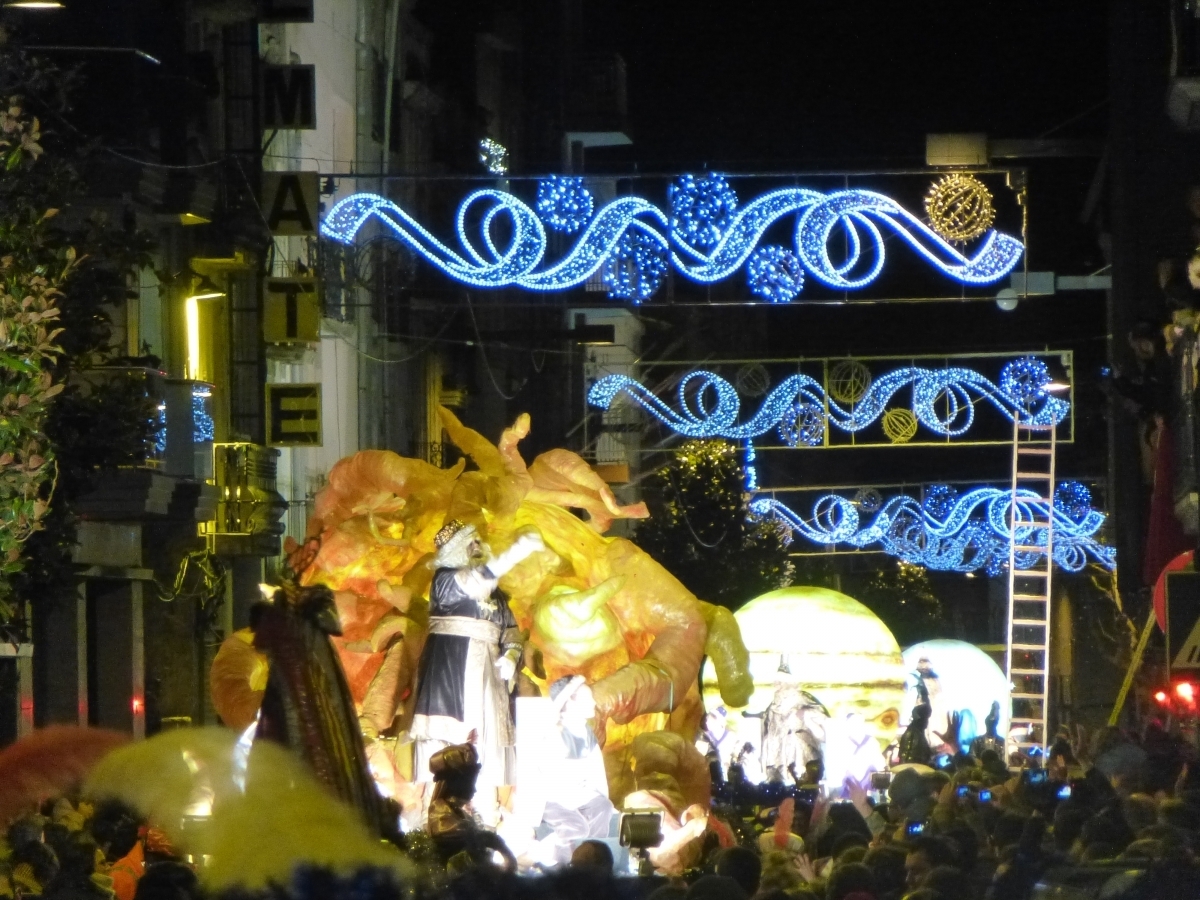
x=969 y=682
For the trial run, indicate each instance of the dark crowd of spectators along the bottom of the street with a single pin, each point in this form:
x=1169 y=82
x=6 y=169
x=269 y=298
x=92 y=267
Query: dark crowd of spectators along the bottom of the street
x=1114 y=817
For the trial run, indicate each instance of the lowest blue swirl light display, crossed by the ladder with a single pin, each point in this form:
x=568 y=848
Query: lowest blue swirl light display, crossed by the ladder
x=957 y=533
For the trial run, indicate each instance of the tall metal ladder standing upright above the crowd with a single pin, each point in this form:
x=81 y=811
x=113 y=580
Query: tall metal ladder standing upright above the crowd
x=1030 y=568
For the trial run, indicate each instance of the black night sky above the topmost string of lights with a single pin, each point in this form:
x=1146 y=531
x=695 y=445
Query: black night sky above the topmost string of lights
x=783 y=83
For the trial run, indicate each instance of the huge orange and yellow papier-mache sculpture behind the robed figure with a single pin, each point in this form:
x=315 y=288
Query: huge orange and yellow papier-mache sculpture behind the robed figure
x=592 y=605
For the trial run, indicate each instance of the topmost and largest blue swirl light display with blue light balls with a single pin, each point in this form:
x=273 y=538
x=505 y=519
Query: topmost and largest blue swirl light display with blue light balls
x=706 y=235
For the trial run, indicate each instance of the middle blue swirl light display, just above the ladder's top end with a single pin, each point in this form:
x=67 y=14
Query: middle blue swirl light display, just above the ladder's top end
x=944 y=400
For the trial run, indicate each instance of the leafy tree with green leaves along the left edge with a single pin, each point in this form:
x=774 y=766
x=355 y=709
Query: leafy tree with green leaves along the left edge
x=87 y=263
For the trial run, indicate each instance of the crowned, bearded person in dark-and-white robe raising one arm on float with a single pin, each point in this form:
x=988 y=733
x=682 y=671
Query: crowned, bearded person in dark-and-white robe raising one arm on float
x=470 y=661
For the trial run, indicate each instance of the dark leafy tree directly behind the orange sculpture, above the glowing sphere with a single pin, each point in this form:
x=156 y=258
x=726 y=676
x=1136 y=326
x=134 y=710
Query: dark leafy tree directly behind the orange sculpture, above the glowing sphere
x=700 y=532
